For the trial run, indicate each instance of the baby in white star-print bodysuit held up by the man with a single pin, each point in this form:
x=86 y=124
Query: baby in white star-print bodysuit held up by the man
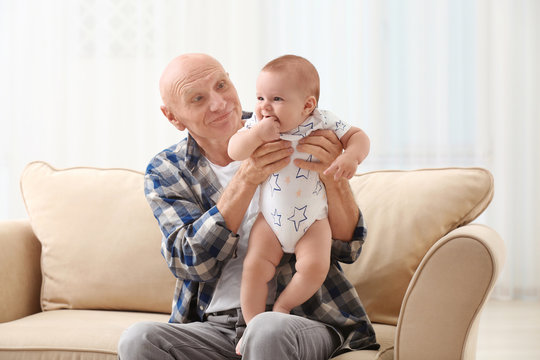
x=293 y=207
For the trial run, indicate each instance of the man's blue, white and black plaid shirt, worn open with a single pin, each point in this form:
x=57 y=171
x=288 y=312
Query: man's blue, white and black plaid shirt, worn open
x=182 y=191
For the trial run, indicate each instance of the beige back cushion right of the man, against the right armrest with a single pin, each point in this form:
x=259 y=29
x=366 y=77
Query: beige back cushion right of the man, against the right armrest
x=406 y=212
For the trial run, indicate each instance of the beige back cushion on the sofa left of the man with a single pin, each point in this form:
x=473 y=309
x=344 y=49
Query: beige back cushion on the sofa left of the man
x=100 y=241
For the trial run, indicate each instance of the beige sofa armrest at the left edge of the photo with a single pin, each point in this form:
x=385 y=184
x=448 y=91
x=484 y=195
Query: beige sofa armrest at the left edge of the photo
x=20 y=271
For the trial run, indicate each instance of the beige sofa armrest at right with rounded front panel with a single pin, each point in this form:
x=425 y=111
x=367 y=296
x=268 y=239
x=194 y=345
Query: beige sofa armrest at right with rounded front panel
x=441 y=309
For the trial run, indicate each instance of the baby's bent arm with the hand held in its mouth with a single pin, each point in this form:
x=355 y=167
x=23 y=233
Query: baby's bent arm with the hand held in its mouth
x=243 y=143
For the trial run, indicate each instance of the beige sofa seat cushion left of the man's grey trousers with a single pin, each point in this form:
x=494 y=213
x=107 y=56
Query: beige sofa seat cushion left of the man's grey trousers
x=68 y=334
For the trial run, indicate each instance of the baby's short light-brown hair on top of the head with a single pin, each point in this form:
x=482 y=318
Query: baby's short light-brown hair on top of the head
x=299 y=67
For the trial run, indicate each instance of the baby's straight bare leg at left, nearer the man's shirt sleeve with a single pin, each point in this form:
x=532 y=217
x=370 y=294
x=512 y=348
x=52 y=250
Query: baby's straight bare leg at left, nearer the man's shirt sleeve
x=263 y=255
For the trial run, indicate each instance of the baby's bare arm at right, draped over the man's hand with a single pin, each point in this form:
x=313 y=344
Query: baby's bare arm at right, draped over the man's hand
x=356 y=145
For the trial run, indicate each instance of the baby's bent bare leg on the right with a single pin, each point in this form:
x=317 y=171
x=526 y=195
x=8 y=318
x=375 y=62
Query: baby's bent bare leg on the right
x=312 y=264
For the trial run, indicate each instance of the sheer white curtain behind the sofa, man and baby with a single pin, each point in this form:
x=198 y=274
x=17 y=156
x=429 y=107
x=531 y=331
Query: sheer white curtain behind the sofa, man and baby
x=434 y=83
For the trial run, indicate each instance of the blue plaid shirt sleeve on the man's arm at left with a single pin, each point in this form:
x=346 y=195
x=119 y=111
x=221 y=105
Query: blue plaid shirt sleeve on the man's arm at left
x=195 y=239
